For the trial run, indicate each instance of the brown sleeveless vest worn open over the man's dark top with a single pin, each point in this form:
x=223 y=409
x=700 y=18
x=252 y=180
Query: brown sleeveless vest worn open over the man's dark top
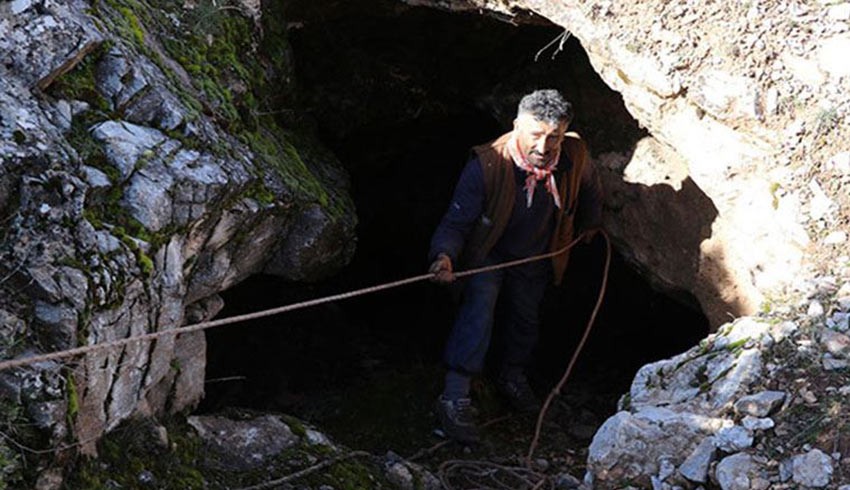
x=499 y=189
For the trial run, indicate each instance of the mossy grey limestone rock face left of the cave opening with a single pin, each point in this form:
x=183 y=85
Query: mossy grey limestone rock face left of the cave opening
x=126 y=210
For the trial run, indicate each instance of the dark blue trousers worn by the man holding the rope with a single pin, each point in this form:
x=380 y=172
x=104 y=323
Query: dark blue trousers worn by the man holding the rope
x=521 y=290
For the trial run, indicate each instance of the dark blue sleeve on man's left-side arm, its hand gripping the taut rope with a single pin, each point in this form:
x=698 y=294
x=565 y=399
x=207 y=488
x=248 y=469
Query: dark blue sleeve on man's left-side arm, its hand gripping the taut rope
x=463 y=213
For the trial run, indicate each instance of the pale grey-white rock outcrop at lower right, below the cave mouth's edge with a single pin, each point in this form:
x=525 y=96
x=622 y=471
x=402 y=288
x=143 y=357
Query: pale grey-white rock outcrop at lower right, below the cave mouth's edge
x=676 y=410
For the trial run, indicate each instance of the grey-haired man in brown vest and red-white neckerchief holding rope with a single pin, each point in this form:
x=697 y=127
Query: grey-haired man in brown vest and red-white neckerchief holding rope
x=517 y=197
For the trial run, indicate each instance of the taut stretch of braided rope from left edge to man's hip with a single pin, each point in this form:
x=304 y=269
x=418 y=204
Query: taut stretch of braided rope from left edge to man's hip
x=77 y=351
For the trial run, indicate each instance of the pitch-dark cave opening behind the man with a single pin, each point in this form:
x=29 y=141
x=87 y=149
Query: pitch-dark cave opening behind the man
x=400 y=94
